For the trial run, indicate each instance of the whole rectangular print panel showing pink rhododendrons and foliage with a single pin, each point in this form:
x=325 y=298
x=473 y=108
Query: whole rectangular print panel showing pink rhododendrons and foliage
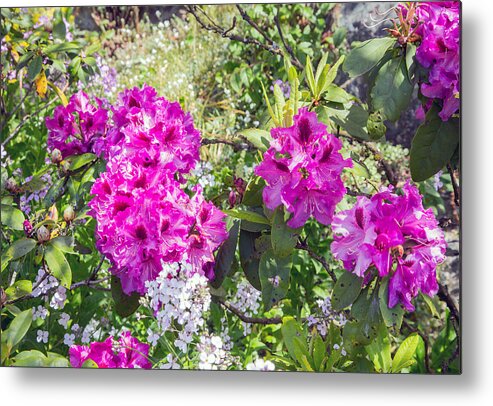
x=268 y=187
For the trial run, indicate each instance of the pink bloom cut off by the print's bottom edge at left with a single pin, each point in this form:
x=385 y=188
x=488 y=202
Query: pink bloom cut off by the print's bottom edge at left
x=127 y=352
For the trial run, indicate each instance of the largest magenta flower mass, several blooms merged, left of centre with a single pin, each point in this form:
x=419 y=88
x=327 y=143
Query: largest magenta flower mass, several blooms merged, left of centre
x=143 y=216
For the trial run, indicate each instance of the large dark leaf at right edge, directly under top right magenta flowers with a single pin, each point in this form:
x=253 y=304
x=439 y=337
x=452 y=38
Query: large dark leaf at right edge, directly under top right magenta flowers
x=433 y=145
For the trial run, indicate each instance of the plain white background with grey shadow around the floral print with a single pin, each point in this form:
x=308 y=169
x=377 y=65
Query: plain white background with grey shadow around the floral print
x=75 y=387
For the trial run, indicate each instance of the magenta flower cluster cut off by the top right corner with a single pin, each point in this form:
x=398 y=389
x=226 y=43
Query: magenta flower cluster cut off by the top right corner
x=439 y=51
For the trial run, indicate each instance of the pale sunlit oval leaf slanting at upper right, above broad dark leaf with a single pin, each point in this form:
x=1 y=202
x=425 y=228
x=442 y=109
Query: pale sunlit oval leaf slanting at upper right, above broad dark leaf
x=365 y=56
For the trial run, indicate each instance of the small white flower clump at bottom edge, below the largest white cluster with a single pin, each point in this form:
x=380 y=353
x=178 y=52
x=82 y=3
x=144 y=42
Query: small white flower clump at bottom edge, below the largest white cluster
x=212 y=355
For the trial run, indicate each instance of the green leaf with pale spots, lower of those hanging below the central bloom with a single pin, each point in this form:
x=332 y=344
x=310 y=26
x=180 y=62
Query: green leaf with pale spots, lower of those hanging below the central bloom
x=274 y=274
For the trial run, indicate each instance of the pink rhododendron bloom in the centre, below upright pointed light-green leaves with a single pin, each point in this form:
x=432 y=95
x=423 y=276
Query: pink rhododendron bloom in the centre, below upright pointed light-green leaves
x=302 y=169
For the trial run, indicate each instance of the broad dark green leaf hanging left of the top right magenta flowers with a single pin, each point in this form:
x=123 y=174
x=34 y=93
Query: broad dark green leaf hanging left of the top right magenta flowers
x=393 y=89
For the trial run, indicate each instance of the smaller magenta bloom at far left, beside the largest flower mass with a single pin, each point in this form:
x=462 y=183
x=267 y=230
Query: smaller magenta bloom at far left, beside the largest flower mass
x=79 y=127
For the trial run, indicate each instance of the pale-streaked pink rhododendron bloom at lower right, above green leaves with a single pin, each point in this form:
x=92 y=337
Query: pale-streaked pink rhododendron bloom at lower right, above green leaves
x=396 y=235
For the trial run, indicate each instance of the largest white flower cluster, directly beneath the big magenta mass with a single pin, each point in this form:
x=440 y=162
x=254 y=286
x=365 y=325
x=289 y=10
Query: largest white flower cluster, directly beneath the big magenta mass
x=178 y=303
